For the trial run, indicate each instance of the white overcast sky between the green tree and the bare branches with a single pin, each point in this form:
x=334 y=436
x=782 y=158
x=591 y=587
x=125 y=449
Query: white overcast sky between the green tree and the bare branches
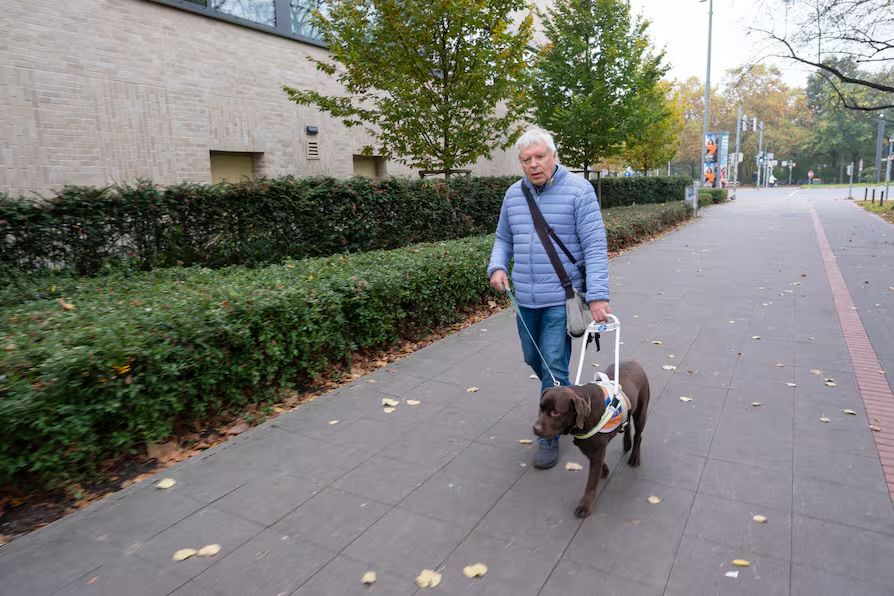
x=682 y=27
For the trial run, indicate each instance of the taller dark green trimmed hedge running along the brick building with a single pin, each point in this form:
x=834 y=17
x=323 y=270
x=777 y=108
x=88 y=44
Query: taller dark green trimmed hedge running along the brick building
x=91 y=231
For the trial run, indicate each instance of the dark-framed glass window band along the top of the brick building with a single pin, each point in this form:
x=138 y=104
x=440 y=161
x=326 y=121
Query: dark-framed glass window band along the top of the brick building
x=289 y=18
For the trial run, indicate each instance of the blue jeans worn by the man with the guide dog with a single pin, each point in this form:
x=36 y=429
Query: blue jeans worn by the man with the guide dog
x=547 y=326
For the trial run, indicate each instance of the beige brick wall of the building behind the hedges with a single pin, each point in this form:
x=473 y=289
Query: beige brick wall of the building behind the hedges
x=100 y=91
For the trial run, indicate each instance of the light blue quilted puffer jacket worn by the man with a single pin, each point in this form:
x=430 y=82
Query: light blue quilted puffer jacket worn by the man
x=569 y=205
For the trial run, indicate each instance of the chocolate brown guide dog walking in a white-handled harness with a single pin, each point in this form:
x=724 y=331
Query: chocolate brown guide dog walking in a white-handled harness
x=578 y=409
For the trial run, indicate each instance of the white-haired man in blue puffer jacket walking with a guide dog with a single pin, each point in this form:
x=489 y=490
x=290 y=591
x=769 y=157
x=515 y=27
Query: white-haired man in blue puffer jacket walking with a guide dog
x=569 y=206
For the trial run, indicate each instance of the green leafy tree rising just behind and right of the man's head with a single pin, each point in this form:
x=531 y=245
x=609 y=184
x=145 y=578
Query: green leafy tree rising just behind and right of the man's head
x=589 y=76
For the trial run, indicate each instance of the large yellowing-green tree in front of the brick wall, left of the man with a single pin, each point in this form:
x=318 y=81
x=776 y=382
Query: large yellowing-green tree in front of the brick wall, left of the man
x=426 y=77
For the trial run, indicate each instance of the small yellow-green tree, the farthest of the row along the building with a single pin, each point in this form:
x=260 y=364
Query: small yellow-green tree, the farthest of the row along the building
x=656 y=139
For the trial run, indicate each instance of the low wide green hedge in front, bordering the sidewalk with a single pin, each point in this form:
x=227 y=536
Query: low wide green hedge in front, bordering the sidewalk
x=139 y=352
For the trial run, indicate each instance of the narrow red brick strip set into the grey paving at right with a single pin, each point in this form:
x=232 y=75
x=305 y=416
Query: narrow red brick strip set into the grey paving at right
x=874 y=389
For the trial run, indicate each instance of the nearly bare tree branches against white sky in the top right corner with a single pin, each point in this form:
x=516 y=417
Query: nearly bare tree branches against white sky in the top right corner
x=819 y=33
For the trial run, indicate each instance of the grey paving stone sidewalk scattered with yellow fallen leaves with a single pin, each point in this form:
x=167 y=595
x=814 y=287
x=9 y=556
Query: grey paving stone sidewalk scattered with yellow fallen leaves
x=301 y=506
